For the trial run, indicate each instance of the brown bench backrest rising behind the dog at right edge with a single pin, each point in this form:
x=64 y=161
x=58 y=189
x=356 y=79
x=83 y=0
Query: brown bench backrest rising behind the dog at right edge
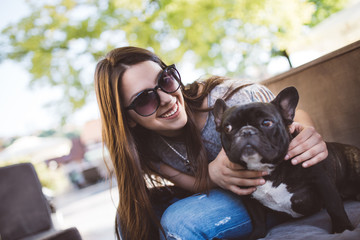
x=329 y=89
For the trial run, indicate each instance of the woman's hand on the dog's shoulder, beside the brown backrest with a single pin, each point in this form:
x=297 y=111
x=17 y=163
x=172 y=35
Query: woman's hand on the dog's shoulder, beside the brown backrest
x=307 y=147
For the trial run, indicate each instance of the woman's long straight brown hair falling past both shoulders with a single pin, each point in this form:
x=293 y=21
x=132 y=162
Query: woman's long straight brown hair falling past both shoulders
x=131 y=158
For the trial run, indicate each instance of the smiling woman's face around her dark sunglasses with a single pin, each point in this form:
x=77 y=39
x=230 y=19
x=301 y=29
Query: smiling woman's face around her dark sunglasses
x=170 y=117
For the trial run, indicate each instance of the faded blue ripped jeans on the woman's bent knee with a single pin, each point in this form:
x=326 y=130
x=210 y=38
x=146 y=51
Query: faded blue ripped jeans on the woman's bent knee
x=220 y=214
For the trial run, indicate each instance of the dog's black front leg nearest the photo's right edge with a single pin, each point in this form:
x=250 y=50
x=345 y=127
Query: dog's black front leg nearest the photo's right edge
x=331 y=199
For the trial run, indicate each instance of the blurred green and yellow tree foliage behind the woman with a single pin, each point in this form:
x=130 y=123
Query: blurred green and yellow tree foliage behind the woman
x=60 y=41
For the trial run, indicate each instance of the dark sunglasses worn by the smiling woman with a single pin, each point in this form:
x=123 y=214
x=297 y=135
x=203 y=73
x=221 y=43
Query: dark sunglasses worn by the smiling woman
x=147 y=101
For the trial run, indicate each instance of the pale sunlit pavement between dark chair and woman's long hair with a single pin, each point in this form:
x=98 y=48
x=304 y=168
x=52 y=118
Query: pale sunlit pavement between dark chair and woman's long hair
x=91 y=210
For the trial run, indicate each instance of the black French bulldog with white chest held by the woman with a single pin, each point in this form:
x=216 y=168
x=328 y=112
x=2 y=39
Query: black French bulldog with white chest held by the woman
x=257 y=137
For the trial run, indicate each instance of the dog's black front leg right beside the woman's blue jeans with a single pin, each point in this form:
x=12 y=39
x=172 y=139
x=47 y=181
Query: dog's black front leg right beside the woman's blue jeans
x=257 y=214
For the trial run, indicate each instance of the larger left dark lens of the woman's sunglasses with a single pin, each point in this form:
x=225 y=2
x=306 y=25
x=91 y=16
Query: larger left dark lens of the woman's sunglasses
x=146 y=103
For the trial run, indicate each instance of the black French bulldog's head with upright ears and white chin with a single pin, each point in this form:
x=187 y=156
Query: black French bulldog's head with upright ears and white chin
x=256 y=135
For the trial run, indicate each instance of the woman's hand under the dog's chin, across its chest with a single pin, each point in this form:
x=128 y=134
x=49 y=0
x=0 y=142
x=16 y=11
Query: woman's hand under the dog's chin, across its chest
x=233 y=177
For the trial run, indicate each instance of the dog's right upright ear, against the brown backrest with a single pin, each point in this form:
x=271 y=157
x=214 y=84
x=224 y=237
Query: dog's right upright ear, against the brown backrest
x=287 y=101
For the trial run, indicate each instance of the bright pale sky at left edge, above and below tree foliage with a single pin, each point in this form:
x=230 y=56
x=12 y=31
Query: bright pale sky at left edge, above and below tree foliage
x=16 y=101
